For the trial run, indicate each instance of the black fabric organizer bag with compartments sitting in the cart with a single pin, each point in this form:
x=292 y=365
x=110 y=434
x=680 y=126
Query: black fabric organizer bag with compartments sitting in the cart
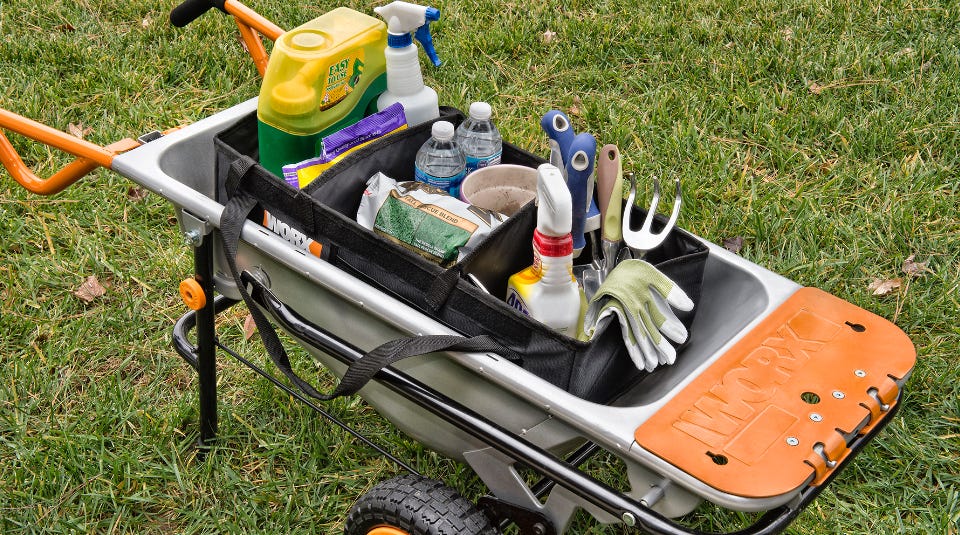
x=597 y=370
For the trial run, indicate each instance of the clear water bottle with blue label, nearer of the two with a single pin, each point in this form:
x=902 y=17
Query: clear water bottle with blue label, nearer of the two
x=440 y=162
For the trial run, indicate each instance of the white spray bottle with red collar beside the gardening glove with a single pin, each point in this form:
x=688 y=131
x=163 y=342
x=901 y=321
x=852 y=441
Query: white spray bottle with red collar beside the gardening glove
x=547 y=290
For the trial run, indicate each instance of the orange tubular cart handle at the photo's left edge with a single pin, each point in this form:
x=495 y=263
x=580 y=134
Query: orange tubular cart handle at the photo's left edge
x=89 y=155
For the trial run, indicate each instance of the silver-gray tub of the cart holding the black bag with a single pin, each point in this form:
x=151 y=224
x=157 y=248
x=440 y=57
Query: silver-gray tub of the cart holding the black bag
x=736 y=296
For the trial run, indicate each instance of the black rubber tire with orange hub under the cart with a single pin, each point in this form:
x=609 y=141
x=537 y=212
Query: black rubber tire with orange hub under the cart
x=415 y=505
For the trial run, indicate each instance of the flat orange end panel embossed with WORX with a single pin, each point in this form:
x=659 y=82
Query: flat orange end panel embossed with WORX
x=773 y=410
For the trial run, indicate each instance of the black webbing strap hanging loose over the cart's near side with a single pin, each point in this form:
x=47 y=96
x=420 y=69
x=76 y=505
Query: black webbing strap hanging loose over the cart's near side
x=360 y=371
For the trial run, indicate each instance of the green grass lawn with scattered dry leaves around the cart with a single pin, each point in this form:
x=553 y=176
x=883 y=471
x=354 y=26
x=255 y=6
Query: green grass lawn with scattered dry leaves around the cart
x=824 y=133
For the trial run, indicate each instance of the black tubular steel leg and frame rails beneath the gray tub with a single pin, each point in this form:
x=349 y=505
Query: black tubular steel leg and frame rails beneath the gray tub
x=202 y=357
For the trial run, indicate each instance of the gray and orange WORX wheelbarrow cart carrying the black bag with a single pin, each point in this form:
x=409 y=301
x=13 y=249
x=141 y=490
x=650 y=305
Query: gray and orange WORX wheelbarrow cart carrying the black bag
x=778 y=389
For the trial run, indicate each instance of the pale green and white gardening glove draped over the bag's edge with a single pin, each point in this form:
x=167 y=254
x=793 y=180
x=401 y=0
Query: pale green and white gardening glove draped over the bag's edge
x=641 y=297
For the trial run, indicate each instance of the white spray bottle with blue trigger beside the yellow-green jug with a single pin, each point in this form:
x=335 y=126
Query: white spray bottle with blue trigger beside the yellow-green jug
x=404 y=78
